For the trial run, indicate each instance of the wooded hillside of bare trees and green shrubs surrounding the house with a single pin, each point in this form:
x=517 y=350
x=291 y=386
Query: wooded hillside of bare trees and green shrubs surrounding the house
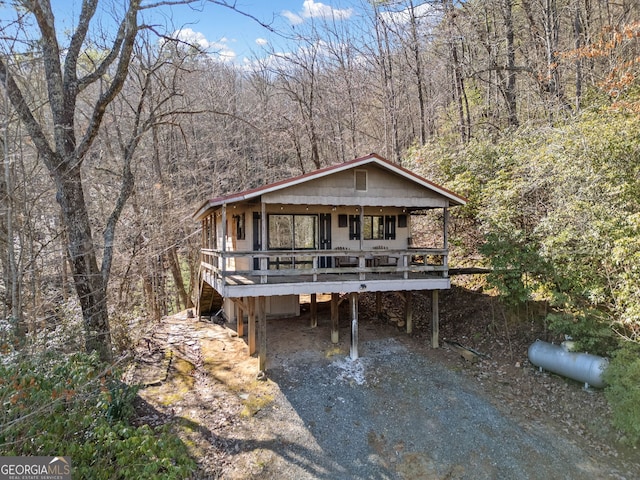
x=113 y=132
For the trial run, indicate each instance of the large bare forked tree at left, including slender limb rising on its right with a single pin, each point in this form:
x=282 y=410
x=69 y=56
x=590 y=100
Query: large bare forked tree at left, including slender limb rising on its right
x=63 y=129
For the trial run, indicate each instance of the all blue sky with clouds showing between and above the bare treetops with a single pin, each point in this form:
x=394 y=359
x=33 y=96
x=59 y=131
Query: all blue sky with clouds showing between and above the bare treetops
x=226 y=34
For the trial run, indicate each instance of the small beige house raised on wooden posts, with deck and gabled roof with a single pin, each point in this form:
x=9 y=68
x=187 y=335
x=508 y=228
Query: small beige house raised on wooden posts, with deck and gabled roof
x=340 y=230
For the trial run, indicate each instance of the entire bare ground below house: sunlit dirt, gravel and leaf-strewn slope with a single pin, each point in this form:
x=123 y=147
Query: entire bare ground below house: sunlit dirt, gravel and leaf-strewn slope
x=401 y=411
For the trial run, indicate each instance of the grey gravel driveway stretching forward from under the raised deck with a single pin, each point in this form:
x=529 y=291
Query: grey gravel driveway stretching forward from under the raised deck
x=396 y=414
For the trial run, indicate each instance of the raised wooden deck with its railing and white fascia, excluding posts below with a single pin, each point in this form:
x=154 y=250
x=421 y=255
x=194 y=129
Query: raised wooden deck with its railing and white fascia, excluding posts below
x=415 y=269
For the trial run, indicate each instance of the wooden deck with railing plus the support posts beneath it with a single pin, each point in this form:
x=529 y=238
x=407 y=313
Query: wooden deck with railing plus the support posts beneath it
x=248 y=289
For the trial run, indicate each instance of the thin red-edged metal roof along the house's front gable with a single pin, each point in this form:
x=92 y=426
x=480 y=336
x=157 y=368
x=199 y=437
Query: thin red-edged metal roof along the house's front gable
x=372 y=158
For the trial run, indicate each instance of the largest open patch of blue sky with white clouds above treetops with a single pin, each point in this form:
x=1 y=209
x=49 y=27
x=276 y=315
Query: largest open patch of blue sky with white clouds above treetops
x=235 y=37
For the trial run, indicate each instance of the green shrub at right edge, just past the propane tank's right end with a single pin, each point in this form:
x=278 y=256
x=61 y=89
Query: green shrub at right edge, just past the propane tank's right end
x=623 y=390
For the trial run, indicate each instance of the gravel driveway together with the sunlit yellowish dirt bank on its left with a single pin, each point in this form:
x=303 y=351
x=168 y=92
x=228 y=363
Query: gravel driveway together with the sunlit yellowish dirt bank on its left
x=398 y=412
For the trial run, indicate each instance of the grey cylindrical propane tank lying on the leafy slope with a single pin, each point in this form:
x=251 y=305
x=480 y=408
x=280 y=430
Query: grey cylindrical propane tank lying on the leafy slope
x=582 y=367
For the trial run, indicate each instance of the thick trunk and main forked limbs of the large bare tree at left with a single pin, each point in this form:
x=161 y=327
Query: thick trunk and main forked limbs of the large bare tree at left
x=58 y=147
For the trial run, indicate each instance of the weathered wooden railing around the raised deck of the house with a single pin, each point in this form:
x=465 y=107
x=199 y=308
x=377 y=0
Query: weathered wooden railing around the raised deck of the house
x=273 y=266
